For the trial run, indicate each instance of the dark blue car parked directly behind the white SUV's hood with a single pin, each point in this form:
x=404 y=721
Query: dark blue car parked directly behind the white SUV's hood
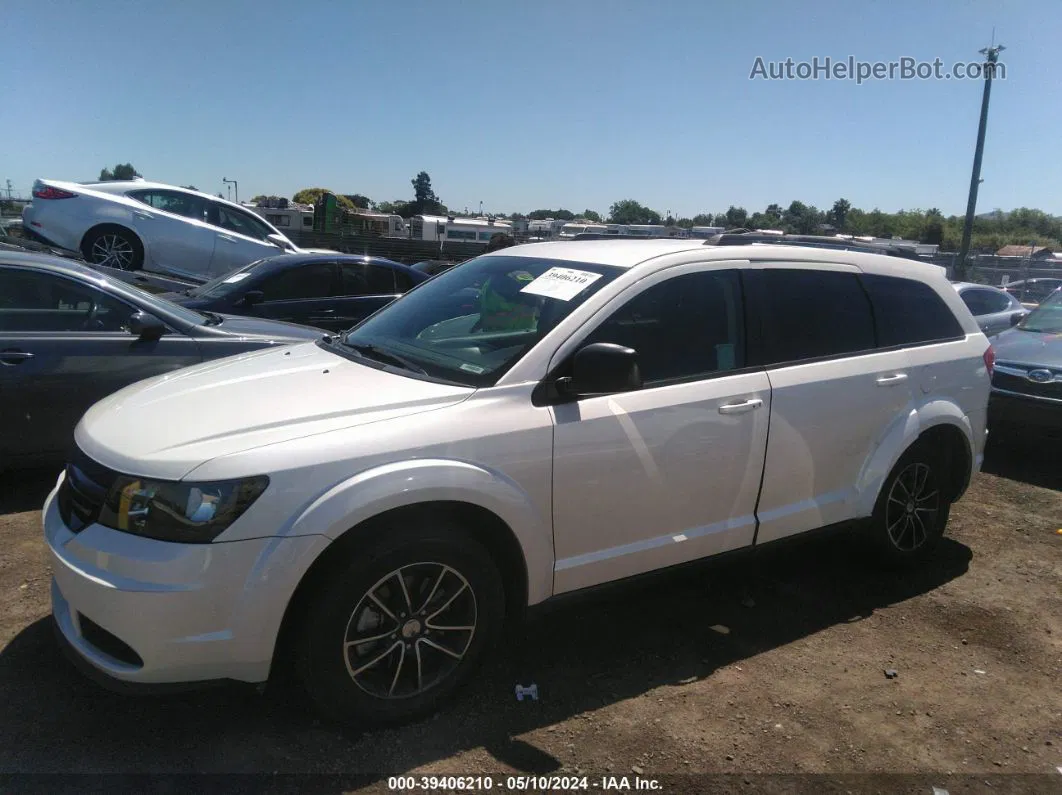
x=330 y=291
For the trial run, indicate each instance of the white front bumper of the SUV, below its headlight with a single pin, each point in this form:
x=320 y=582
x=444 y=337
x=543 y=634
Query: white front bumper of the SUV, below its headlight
x=147 y=612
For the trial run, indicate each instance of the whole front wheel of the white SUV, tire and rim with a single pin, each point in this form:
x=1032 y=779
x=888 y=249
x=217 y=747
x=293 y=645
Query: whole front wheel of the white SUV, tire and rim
x=389 y=636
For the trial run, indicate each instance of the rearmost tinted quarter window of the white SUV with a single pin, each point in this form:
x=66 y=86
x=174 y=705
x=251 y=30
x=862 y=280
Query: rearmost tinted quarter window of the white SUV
x=910 y=313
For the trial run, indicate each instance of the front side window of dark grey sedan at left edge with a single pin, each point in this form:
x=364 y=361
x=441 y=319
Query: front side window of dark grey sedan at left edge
x=40 y=302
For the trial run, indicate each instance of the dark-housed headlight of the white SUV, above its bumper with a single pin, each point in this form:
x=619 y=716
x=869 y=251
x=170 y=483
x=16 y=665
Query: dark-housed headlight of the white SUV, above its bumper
x=187 y=513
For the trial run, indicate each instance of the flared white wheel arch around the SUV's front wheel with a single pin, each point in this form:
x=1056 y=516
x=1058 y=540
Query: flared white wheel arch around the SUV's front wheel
x=390 y=487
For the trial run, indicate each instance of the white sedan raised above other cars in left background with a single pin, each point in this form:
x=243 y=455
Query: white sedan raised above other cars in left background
x=136 y=224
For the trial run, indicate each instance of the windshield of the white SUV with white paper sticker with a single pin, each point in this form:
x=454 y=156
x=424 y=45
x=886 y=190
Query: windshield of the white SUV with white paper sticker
x=471 y=324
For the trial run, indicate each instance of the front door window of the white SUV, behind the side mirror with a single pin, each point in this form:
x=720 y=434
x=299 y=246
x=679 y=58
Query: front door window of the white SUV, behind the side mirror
x=687 y=327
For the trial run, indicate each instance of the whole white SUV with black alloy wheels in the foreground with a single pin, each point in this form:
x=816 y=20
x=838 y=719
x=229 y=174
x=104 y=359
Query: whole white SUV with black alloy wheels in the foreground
x=538 y=421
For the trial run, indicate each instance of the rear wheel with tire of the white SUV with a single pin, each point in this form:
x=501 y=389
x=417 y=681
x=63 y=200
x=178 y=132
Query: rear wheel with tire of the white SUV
x=913 y=508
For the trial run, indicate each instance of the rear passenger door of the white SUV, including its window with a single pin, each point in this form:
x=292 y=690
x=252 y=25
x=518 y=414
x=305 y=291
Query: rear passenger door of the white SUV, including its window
x=834 y=395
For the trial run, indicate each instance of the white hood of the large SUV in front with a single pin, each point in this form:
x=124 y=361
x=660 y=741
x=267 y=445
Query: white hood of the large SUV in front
x=167 y=426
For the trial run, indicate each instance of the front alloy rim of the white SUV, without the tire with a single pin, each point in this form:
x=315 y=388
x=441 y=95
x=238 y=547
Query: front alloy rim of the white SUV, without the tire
x=410 y=631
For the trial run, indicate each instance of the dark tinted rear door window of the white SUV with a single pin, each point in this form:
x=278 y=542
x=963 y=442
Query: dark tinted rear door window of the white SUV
x=815 y=315
